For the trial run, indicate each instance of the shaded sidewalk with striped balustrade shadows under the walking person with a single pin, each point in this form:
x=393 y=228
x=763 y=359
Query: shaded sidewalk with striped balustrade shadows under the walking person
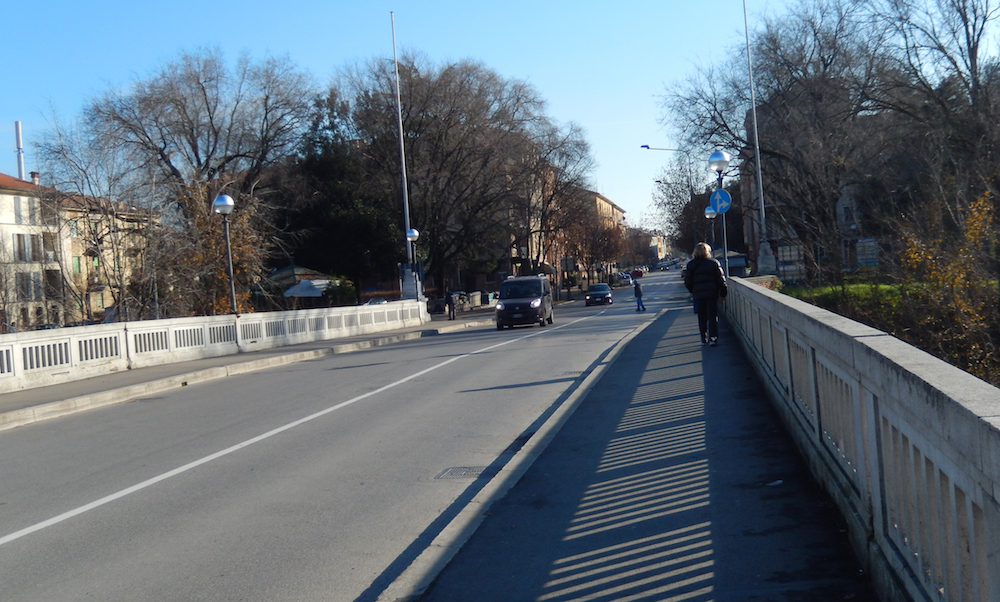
x=673 y=480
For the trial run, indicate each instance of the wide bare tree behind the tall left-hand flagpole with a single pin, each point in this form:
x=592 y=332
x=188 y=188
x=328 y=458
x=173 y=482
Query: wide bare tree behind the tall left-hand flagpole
x=478 y=149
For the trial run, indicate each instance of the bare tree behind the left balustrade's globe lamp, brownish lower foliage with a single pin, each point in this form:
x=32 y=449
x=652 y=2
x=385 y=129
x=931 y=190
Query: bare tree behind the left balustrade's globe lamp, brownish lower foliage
x=197 y=129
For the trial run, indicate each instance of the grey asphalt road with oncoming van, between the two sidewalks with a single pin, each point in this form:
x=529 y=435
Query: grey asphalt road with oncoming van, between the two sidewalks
x=321 y=480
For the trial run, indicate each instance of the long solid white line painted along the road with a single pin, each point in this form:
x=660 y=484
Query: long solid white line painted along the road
x=225 y=452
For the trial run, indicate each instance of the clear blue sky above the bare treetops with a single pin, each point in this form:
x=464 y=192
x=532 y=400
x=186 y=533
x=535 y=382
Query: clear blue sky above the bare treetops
x=598 y=63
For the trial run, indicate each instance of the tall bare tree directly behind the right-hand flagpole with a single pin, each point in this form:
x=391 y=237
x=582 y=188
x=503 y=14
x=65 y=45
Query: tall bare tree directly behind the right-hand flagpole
x=817 y=70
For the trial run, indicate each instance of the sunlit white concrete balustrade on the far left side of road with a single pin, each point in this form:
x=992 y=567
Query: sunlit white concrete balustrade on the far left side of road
x=45 y=357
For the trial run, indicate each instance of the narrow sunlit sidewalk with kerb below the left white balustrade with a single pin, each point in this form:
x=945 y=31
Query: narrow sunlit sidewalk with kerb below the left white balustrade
x=18 y=408
